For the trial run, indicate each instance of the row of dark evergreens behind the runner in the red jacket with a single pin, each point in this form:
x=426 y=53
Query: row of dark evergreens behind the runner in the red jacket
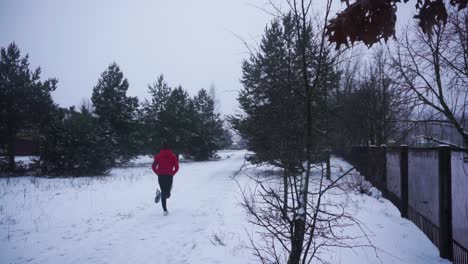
x=110 y=130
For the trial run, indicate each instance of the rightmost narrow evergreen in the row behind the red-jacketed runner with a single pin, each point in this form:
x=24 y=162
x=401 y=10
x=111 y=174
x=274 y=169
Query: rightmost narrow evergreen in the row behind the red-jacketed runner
x=207 y=128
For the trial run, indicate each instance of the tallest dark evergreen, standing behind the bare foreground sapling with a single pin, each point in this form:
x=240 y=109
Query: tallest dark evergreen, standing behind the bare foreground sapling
x=275 y=102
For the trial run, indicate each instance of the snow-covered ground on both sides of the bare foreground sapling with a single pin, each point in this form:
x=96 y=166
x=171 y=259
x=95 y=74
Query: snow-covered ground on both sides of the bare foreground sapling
x=113 y=219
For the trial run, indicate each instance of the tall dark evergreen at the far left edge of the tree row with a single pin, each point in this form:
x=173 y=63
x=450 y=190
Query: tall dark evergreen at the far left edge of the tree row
x=25 y=101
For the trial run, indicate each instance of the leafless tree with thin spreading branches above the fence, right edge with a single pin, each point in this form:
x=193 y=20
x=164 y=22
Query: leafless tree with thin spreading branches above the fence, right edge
x=434 y=69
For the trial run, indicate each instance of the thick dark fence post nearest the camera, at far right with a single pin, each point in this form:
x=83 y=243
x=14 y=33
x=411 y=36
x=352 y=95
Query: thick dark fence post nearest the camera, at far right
x=445 y=203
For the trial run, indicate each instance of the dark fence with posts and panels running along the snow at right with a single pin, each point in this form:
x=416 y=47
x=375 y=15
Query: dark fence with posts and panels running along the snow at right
x=428 y=185
